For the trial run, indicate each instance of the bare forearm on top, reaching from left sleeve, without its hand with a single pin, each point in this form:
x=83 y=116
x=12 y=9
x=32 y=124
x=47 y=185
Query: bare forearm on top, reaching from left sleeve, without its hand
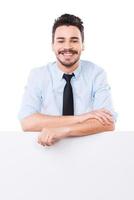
x=37 y=122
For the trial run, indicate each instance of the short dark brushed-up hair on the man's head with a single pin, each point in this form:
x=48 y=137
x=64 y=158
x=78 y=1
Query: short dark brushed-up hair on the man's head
x=68 y=20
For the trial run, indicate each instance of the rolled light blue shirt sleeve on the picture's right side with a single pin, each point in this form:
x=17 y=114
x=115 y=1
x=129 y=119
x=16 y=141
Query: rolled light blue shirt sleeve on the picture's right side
x=102 y=93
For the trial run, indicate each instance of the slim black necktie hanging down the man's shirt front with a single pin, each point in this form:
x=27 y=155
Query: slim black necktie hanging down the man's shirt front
x=68 y=104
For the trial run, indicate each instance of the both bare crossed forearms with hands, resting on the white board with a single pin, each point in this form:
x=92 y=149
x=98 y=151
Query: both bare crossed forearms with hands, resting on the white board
x=55 y=128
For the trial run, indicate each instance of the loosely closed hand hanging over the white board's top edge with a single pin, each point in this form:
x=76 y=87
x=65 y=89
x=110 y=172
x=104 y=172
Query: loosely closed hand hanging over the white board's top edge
x=50 y=136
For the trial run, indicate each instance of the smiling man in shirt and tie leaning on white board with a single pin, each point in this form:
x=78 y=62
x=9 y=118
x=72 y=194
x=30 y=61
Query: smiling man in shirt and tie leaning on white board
x=69 y=97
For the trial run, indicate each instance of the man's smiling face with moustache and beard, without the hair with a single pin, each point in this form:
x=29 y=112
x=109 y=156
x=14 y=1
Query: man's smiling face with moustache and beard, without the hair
x=67 y=45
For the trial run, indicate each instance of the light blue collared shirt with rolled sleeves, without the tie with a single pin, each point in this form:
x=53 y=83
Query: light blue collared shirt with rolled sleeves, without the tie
x=44 y=90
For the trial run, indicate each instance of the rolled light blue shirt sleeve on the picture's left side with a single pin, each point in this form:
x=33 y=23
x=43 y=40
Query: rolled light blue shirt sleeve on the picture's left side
x=32 y=98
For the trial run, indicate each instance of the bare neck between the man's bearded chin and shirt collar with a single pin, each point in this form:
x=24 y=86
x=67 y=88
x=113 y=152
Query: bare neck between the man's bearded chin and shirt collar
x=68 y=70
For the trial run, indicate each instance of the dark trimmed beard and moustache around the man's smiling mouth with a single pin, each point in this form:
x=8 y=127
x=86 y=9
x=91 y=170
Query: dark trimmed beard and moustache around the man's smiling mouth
x=66 y=61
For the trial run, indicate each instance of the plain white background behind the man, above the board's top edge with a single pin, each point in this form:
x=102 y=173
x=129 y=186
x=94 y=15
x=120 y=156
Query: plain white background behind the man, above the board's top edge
x=25 y=43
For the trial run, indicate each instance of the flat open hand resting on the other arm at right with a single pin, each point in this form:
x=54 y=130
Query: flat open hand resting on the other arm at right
x=102 y=115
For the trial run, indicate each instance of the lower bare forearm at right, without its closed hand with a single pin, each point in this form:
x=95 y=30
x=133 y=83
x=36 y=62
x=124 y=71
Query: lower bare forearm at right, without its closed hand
x=89 y=127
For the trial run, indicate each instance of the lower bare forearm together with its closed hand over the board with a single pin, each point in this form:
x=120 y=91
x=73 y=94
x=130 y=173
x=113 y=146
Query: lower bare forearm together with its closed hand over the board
x=49 y=136
